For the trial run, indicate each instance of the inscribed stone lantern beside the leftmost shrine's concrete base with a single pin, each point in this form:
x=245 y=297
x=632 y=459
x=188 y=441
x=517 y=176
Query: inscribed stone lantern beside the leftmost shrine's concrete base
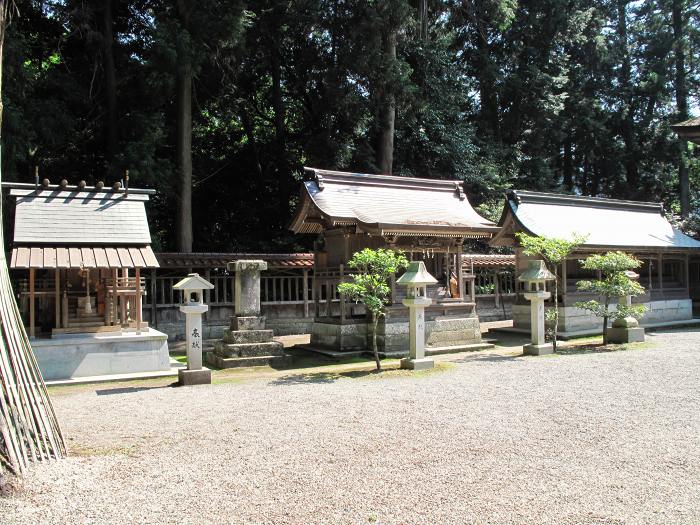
x=193 y=307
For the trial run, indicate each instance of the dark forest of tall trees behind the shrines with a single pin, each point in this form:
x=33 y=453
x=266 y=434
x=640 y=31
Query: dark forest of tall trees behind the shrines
x=219 y=104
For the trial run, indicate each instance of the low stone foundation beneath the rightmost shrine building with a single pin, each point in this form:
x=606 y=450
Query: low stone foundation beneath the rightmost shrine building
x=572 y=319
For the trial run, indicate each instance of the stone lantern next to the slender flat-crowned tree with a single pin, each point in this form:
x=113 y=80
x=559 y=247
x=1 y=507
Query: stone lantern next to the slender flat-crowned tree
x=535 y=279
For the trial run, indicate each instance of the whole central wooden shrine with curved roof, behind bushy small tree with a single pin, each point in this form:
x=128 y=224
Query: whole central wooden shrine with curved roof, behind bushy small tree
x=425 y=218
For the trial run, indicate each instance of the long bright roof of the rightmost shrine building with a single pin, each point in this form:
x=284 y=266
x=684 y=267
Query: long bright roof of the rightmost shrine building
x=607 y=223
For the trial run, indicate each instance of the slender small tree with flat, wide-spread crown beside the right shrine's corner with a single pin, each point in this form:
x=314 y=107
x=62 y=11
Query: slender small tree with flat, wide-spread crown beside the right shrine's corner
x=552 y=251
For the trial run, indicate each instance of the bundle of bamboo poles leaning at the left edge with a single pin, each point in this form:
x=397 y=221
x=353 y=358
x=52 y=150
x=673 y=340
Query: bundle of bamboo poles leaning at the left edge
x=29 y=429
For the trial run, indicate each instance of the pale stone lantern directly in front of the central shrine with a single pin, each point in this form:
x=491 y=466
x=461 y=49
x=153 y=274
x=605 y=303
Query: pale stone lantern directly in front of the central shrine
x=416 y=279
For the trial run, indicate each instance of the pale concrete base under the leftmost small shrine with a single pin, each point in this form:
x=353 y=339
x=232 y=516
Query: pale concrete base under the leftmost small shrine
x=91 y=355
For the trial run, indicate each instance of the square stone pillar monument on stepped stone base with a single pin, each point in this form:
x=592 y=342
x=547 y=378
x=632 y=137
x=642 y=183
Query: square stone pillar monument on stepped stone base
x=246 y=342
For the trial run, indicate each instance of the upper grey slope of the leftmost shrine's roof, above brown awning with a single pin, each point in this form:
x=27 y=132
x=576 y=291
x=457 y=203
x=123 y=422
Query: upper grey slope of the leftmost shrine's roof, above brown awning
x=60 y=217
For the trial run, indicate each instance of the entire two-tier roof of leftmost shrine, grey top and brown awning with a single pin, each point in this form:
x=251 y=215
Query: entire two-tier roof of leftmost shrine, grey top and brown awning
x=73 y=227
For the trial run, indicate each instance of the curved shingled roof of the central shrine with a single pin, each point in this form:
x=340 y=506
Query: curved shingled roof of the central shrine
x=387 y=205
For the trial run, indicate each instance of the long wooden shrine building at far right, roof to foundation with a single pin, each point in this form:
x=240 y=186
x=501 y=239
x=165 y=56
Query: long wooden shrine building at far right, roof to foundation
x=670 y=270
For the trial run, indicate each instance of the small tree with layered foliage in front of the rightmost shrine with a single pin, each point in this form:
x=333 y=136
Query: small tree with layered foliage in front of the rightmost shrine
x=614 y=282
